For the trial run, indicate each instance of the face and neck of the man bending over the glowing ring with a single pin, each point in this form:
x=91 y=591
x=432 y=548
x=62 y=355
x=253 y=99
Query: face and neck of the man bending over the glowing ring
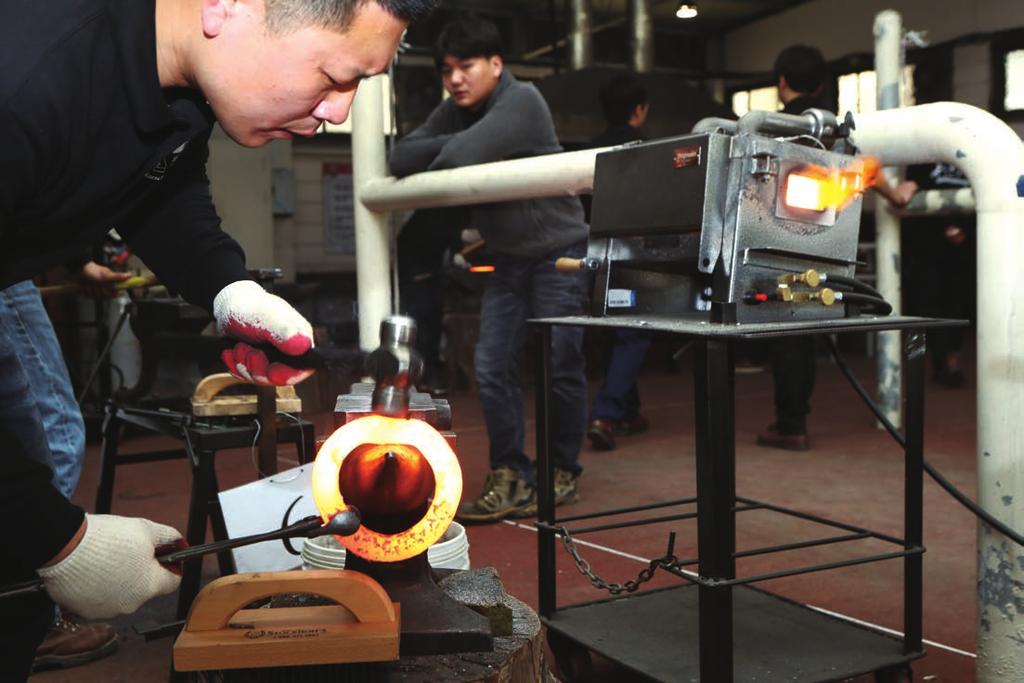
x=264 y=88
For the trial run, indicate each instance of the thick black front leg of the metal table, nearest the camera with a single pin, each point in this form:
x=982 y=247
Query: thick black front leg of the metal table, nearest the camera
x=716 y=479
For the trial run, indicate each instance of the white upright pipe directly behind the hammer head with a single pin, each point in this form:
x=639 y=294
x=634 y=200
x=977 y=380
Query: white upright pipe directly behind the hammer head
x=373 y=232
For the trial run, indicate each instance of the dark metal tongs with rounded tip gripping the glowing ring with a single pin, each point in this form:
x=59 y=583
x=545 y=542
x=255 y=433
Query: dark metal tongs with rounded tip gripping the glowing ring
x=345 y=523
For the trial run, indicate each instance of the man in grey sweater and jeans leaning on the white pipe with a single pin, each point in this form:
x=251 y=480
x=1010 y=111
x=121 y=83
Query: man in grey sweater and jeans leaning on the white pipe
x=493 y=117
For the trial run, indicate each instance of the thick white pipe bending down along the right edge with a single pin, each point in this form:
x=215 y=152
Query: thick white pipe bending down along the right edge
x=992 y=156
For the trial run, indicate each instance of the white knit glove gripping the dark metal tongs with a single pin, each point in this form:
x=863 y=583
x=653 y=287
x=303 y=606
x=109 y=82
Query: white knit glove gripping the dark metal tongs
x=114 y=570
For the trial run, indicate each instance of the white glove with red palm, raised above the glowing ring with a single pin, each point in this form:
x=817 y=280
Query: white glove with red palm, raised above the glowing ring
x=244 y=311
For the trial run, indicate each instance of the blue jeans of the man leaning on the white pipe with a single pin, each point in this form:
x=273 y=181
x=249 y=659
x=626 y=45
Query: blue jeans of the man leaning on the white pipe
x=521 y=289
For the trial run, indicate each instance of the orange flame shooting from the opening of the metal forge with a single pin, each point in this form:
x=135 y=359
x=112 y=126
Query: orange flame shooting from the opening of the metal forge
x=819 y=189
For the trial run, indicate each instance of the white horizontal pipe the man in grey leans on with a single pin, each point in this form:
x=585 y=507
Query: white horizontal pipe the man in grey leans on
x=551 y=176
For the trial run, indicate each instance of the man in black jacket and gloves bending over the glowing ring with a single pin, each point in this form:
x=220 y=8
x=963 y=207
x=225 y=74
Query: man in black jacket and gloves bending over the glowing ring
x=106 y=109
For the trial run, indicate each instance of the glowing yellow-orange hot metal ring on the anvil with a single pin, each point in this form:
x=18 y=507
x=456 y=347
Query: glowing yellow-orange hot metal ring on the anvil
x=370 y=439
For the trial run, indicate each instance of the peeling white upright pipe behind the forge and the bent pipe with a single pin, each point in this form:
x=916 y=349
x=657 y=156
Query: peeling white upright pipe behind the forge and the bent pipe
x=888 y=70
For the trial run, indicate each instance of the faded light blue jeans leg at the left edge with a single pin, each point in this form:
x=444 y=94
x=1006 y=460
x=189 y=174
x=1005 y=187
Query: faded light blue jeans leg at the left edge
x=34 y=343
